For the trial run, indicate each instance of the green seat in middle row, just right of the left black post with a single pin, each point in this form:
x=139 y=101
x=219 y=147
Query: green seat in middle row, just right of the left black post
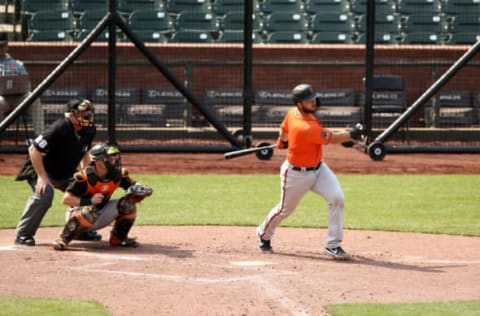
x=151 y=20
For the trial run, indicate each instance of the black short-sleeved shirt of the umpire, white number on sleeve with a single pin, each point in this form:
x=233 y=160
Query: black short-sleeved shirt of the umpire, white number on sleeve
x=63 y=148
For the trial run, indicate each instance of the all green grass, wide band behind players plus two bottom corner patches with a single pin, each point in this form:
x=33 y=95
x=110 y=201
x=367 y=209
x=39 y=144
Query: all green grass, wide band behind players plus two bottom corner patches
x=440 y=204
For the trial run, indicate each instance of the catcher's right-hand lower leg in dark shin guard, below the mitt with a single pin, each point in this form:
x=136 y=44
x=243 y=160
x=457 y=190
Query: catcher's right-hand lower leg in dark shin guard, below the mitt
x=127 y=212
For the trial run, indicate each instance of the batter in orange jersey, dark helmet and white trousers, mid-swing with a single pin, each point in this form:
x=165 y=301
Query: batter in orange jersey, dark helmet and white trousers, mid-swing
x=303 y=135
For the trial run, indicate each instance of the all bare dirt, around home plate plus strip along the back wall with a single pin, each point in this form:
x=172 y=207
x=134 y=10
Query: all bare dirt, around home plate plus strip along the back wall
x=219 y=270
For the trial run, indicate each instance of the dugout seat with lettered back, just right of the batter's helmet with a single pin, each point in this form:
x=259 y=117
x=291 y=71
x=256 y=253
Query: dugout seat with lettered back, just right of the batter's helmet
x=338 y=108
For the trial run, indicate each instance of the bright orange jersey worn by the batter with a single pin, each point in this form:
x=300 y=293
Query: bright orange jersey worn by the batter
x=306 y=136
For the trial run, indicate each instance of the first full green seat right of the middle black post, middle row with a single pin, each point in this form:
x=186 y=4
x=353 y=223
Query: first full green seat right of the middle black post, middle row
x=286 y=21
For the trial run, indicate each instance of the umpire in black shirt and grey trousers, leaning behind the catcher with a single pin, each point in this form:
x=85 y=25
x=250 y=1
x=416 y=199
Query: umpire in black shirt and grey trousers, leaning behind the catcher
x=53 y=158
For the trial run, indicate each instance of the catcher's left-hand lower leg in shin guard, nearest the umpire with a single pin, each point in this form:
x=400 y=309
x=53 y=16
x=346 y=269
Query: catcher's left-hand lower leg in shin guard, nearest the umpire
x=81 y=220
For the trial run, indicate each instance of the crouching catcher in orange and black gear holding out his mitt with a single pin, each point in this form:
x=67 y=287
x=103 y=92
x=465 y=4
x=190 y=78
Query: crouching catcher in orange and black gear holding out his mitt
x=91 y=208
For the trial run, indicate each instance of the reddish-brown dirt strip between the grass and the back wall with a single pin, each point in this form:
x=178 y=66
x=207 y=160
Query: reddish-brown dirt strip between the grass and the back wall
x=339 y=159
